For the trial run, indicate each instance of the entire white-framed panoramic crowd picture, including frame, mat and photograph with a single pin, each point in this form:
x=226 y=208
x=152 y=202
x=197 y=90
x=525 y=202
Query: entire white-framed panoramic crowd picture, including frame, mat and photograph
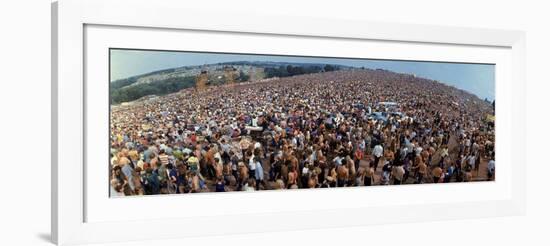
x=176 y=121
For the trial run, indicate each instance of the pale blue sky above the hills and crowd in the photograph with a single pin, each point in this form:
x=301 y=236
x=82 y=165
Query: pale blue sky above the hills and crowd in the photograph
x=478 y=79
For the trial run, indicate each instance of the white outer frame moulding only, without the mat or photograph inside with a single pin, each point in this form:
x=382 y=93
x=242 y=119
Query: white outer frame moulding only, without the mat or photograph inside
x=69 y=18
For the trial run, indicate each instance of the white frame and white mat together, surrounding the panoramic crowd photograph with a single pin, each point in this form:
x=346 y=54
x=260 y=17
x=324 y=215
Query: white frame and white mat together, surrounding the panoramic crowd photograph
x=73 y=207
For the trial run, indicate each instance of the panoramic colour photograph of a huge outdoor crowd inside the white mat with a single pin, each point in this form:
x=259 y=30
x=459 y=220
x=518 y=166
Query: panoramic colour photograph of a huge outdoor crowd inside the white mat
x=192 y=122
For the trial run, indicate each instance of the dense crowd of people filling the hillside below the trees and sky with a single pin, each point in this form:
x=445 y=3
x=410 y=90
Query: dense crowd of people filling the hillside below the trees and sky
x=332 y=129
